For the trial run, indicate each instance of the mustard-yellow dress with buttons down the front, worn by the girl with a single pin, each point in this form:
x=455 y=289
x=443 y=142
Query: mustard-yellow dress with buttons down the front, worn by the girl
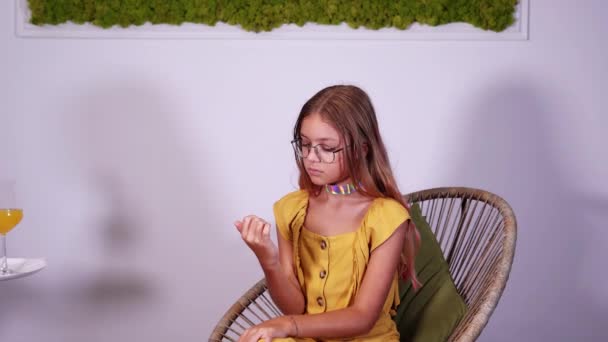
x=330 y=268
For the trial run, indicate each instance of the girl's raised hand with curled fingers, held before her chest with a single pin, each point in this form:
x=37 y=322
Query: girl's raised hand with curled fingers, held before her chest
x=256 y=234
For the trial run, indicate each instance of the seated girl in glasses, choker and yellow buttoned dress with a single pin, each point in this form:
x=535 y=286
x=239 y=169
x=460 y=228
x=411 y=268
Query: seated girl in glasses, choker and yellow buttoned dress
x=340 y=237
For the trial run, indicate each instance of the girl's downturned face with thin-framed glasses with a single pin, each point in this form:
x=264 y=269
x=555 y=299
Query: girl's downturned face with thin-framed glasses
x=322 y=142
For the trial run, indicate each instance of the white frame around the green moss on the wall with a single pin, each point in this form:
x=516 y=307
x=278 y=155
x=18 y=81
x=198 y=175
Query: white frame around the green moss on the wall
x=453 y=31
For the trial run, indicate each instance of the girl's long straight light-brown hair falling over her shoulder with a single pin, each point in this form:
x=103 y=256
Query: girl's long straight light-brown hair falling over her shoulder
x=349 y=109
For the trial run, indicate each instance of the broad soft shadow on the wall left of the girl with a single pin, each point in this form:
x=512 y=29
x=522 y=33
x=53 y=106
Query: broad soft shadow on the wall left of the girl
x=147 y=228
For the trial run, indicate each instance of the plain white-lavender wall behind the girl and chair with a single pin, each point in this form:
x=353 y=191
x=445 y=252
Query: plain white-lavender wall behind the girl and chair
x=135 y=156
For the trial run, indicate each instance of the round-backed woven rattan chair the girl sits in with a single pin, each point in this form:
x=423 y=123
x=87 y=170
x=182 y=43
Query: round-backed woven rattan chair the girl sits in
x=476 y=231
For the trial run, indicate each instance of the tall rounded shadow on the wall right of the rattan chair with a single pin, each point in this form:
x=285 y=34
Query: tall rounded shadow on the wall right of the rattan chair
x=556 y=291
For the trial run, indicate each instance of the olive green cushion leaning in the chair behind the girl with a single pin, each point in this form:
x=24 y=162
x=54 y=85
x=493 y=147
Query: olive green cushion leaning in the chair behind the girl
x=431 y=313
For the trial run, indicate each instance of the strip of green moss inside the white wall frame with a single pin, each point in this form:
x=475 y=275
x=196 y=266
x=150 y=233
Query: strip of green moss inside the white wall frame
x=266 y=15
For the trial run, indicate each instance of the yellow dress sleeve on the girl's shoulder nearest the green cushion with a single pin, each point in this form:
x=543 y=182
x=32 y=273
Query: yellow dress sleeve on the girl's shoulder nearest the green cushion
x=386 y=216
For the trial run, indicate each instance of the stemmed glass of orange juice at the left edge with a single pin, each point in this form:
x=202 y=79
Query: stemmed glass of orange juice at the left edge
x=10 y=216
